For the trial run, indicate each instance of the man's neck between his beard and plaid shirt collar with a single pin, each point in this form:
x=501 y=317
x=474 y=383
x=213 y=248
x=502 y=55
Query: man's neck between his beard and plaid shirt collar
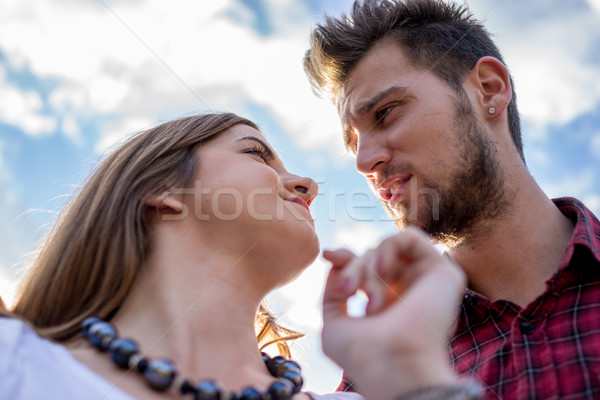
x=511 y=258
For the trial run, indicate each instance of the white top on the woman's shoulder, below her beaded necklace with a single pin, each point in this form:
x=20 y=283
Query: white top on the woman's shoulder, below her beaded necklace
x=35 y=368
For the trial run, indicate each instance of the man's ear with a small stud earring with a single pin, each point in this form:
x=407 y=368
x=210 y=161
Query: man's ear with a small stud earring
x=491 y=79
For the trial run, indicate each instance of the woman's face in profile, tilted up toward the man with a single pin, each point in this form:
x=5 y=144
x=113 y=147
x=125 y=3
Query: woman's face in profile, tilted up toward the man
x=243 y=192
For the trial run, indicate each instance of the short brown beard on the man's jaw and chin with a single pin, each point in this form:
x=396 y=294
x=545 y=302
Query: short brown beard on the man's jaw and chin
x=453 y=210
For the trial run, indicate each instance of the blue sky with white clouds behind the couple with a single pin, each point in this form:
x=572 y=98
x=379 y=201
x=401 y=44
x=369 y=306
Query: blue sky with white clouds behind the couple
x=78 y=75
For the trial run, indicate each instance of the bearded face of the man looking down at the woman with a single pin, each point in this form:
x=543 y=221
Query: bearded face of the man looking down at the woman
x=431 y=162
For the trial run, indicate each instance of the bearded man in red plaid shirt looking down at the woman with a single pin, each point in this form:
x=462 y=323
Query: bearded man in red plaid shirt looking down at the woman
x=428 y=107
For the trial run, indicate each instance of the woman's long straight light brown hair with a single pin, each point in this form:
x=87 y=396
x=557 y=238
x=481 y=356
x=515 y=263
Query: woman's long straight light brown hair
x=91 y=257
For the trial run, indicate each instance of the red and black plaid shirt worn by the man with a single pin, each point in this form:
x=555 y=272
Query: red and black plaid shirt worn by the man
x=550 y=349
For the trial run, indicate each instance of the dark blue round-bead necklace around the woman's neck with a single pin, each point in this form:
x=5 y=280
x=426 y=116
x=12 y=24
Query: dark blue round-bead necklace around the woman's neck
x=161 y=374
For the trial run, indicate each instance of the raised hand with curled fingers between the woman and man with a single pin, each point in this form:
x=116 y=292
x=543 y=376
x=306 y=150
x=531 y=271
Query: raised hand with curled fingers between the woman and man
x=413 y=292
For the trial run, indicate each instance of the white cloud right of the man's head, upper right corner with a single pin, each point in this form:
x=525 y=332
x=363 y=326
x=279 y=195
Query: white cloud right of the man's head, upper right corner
x=555 y=77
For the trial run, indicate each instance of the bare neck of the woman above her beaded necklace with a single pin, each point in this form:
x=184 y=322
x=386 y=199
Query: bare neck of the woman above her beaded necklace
x=195 y=314
